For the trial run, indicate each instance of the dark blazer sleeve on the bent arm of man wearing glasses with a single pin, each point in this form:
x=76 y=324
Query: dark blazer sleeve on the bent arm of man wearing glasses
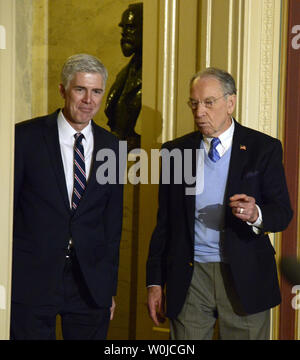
x=275 y=207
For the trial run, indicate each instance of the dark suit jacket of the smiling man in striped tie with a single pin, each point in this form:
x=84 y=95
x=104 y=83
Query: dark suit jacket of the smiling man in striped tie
x=44 y=223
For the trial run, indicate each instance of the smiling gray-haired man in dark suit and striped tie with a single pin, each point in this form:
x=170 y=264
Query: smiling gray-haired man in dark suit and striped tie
x=67 y=222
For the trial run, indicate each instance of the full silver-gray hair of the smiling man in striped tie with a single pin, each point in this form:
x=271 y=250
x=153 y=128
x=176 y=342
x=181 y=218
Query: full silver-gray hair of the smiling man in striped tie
x=82 y=63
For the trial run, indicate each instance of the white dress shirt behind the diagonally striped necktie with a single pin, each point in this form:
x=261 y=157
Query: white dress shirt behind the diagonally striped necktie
x=66 y=141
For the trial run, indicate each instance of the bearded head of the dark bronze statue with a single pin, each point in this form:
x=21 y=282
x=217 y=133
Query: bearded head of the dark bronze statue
x=132 y=29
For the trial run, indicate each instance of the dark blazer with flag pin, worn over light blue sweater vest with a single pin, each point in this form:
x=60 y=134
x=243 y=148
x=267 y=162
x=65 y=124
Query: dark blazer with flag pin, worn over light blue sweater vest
x=256 y=170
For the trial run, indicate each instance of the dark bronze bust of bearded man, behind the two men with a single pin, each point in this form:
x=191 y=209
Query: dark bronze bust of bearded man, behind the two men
x=123 y=103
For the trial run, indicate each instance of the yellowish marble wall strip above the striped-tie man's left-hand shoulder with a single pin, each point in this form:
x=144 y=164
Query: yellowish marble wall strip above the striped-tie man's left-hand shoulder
x=31 y=42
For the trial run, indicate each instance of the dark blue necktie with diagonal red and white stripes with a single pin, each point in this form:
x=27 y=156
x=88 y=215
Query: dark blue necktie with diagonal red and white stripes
x=79 y=171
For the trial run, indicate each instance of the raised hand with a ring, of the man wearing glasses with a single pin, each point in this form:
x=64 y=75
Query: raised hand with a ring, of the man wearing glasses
x=243 y=207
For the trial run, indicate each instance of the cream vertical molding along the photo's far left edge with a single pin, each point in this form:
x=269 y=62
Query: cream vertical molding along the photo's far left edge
x=7 y=116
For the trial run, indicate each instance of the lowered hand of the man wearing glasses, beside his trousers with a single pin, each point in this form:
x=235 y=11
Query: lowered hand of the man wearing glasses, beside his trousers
x=156 y=304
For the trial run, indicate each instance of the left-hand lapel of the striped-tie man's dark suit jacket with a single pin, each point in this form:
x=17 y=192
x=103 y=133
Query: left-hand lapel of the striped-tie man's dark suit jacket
x=52 y=141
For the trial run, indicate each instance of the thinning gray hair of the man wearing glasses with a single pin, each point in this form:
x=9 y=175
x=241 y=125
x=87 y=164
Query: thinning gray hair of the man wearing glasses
x=226 y=80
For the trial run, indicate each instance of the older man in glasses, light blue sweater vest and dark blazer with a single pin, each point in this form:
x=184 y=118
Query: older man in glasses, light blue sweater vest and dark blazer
x=211 y=250
